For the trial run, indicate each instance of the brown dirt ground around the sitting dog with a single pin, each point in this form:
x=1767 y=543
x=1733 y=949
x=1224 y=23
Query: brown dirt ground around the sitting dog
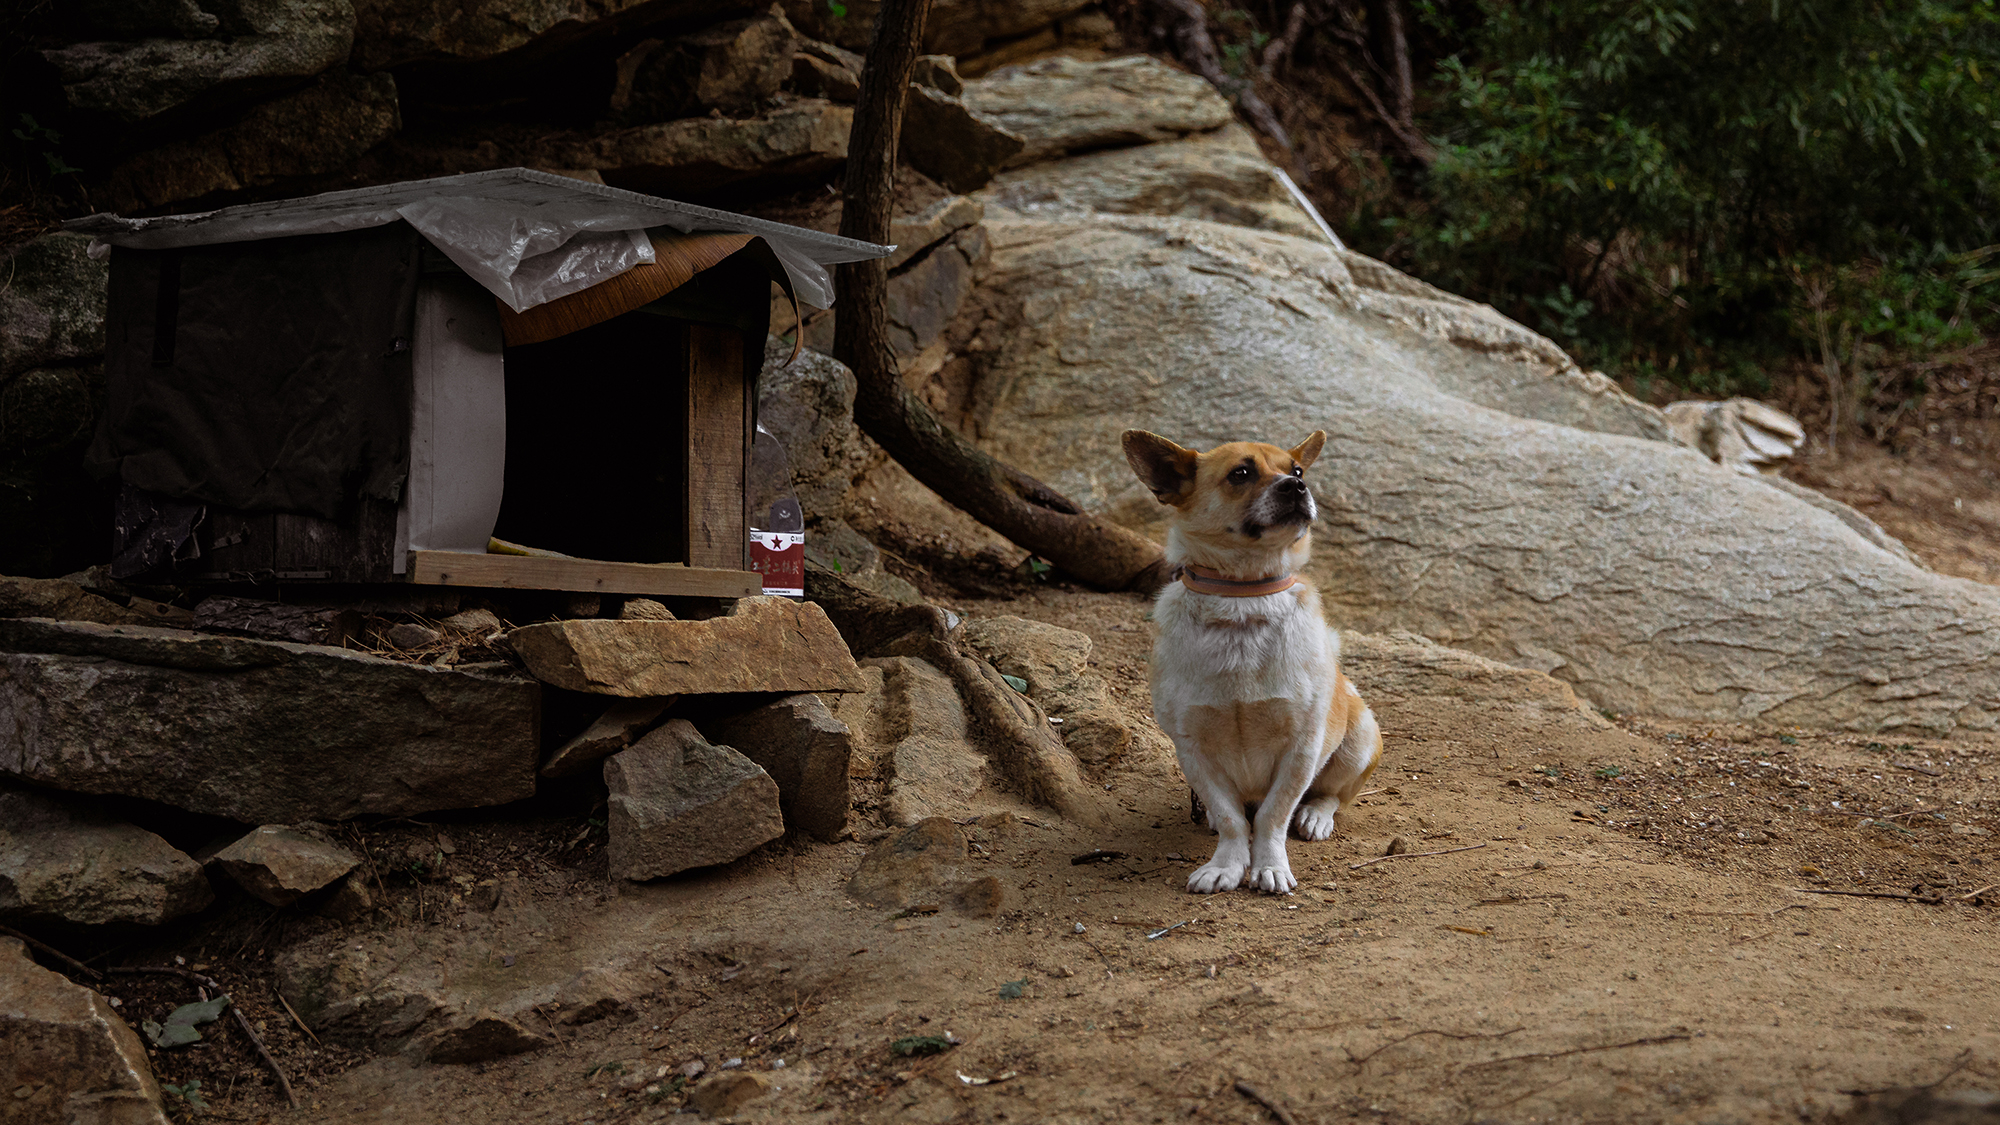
x=1593 y=922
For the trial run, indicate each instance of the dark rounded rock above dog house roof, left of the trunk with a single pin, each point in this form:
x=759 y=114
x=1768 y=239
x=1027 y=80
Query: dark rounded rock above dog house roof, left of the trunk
x=733 y=67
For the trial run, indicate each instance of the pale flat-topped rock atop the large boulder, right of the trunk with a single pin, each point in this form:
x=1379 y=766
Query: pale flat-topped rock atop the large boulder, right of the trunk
x=1221 y=177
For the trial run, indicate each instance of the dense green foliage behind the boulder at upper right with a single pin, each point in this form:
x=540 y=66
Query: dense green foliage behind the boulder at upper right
x=1693 y=189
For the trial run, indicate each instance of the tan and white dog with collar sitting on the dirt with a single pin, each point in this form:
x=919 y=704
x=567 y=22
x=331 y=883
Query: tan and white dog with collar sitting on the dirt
x=1247 y=674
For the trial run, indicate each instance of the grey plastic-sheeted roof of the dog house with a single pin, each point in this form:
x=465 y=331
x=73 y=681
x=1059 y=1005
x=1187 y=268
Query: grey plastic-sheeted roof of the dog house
x=529 y=237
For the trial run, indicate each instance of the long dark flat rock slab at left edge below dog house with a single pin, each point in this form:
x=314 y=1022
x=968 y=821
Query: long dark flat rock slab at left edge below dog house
x=259 y=732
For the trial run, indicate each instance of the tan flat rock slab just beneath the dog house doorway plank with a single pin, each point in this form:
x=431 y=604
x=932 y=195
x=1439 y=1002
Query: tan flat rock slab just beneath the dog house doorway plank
x=763 y=646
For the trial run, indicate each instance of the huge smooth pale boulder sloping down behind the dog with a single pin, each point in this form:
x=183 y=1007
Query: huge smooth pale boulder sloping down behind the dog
x=1477 y=487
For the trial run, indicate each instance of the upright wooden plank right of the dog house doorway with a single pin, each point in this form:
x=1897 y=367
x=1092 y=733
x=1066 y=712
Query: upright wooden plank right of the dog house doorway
x=715 y=451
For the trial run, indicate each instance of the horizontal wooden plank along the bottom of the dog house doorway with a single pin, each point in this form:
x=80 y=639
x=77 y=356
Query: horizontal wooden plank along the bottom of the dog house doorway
x=583 y=576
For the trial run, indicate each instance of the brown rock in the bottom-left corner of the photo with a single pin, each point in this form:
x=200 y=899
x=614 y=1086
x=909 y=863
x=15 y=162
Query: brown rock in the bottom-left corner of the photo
x=69 y=1058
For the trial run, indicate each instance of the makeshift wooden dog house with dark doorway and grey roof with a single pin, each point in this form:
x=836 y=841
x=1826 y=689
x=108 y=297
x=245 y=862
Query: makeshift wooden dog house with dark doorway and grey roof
x=375 y=385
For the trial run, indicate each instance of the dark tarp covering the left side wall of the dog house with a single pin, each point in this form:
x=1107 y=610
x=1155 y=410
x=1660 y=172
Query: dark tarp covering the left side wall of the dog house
x=263 y=375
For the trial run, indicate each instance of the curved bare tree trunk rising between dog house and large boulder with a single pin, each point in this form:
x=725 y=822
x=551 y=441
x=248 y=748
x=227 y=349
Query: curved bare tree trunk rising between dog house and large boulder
x=995 y=493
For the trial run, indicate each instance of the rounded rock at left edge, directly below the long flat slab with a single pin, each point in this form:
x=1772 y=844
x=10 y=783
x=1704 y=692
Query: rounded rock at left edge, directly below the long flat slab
x=65 y=862
